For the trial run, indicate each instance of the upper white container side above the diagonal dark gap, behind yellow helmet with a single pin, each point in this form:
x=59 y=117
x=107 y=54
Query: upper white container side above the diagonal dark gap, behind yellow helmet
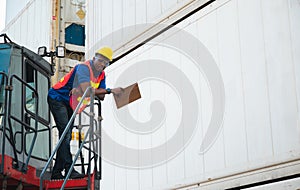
x=104 y=17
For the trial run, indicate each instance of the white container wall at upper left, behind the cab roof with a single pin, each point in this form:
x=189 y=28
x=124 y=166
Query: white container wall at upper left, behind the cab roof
x=32 y=25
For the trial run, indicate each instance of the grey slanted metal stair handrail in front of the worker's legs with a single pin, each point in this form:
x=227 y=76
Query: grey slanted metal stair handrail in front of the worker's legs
x=90 y=133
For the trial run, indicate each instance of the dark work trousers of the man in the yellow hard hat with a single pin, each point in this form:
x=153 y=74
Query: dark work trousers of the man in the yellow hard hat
x=62 y=114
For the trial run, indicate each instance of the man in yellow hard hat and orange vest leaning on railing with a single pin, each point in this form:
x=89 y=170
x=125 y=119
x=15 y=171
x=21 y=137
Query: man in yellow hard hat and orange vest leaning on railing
x=62 y=104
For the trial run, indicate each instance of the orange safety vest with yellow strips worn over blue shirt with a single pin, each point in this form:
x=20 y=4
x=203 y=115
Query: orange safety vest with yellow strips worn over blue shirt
x=75 y=98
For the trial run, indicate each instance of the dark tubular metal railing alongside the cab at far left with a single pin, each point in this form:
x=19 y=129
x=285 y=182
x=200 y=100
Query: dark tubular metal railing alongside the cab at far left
x=8 y=117
